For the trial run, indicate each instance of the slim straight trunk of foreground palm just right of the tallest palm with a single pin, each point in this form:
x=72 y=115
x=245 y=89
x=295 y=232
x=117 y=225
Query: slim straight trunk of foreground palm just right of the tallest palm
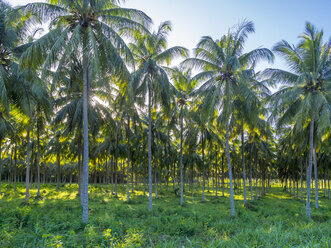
x=150 y=189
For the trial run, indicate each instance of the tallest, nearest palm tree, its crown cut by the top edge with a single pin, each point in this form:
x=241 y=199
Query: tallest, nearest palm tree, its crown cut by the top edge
x=90 y=29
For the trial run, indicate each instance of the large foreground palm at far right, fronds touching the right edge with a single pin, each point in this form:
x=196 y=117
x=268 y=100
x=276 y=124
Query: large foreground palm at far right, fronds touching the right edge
x=305 y=97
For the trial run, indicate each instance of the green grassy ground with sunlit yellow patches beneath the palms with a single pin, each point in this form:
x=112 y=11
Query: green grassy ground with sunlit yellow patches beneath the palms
x=276 y=220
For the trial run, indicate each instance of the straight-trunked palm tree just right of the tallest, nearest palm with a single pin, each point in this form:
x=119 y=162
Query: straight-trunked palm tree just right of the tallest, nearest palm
x=151 y=52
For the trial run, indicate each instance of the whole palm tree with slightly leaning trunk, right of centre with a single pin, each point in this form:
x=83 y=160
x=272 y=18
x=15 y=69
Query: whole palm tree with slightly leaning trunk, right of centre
x=224 y=76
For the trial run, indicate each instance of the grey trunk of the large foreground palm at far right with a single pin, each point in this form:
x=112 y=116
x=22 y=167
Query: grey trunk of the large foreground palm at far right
x=311 y=148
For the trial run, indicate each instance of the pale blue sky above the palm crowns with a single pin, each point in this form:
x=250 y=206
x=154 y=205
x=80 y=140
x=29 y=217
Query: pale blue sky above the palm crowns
x=274 y=20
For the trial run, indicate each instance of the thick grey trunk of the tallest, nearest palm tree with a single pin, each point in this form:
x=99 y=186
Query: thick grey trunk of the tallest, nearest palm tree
x=85 y=134
